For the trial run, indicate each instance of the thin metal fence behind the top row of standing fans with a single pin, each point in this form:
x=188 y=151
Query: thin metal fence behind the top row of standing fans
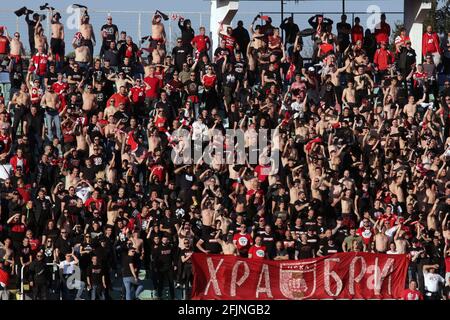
x=137 y=24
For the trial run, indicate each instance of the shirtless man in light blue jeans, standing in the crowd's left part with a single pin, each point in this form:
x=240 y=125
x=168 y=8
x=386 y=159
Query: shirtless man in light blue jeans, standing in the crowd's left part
x=50 y=103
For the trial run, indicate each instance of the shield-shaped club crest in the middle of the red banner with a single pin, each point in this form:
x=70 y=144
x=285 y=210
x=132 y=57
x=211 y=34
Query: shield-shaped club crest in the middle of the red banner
x=298 y=280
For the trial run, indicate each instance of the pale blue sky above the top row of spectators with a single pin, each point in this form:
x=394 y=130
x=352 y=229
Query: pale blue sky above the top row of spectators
x=196 y=10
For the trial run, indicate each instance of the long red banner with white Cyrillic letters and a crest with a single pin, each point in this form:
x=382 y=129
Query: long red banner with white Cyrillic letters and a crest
x=354 y=275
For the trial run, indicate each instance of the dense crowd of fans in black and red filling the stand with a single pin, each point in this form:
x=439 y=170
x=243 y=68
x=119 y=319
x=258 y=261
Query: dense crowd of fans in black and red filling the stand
x=90 y=191
